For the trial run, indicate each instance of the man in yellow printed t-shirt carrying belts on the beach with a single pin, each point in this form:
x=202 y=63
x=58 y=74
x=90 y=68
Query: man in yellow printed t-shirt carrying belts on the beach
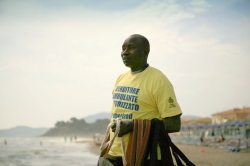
x=141 y=93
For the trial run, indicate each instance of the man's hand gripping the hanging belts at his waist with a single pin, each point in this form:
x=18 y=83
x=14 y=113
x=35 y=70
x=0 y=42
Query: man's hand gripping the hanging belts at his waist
x=125 y=127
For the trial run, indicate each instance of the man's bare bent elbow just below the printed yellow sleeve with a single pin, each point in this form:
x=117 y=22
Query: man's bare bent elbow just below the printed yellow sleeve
x=172 y=124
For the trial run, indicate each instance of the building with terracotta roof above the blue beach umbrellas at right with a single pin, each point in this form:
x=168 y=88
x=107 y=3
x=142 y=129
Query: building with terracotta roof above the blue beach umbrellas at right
x=235 y=114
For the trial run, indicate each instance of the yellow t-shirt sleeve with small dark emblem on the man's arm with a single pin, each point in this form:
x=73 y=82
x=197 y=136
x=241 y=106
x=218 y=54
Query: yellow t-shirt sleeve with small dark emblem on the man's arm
x=166 y=101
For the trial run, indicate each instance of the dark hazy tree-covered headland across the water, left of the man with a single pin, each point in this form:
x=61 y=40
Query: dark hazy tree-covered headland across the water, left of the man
x=78 y=127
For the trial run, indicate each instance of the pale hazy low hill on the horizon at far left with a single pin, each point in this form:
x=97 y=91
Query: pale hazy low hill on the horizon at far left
x=23 y=131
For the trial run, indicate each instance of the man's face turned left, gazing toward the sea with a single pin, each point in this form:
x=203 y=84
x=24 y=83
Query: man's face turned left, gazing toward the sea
x=133 y=54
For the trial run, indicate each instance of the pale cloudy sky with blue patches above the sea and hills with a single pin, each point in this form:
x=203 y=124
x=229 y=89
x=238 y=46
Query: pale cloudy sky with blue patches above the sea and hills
x=60 y=59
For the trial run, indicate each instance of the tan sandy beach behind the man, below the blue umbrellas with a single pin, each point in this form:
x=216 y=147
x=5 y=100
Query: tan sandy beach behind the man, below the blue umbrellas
x=205 y=156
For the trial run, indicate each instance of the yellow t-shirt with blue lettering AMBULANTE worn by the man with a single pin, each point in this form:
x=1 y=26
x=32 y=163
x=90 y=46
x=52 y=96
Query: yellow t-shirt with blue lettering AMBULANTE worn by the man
x=145 y=95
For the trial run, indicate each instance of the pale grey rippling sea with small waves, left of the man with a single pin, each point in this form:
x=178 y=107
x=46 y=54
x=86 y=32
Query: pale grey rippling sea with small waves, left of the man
x=46 y=151
